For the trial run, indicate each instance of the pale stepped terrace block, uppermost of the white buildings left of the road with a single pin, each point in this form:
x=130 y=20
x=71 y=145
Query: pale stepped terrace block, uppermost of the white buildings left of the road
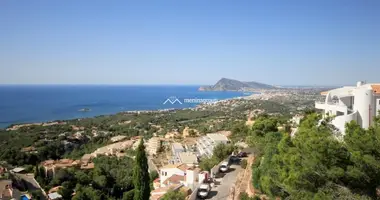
x=206 y=144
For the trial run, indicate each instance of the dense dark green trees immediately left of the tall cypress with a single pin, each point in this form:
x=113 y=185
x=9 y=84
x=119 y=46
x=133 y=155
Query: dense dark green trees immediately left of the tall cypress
x=111 y=178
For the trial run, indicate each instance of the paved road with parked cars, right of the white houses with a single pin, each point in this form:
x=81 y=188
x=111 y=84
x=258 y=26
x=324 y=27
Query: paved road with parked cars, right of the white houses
x=222 y=189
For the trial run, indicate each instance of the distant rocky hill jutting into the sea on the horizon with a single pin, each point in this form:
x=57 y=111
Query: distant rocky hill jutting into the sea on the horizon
x=226 y=84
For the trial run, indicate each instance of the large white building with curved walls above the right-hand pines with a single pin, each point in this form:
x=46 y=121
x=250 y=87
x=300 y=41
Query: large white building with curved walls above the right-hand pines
x=359 y=103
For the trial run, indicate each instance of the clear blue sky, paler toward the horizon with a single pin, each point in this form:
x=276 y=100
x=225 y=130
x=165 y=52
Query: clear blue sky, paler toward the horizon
x=192 y=42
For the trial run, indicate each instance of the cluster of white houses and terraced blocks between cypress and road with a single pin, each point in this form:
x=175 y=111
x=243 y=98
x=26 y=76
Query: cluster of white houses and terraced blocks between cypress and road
x=183 y=172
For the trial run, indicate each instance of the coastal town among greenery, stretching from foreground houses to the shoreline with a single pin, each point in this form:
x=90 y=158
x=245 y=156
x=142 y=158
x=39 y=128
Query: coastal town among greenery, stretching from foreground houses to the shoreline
x=204 y=152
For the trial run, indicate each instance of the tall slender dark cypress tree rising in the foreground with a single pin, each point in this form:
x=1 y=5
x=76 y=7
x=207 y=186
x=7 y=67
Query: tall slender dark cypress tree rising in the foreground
x=141 y=177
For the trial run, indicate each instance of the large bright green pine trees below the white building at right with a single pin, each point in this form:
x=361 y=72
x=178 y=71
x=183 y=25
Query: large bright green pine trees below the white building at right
x=315 y=164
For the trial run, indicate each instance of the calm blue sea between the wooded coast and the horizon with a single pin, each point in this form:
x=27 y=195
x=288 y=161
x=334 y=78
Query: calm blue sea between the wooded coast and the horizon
x=41 y=103
